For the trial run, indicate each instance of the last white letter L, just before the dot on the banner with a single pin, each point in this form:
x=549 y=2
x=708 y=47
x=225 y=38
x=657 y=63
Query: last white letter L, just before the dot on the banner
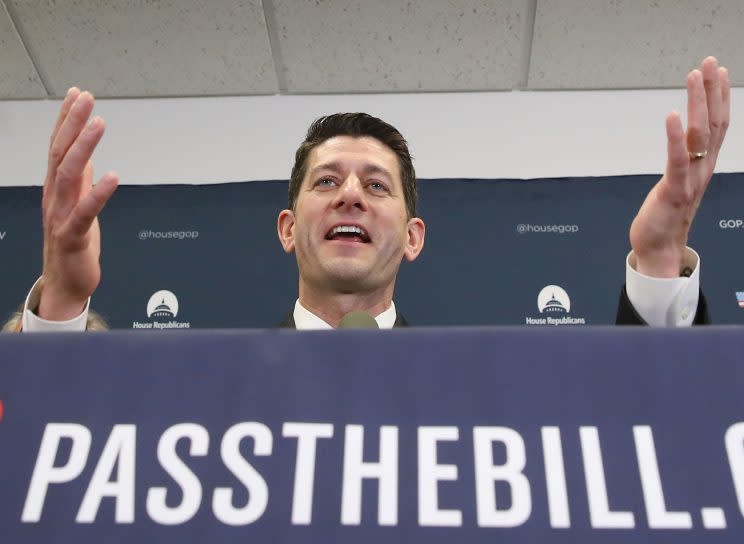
x=653 y=493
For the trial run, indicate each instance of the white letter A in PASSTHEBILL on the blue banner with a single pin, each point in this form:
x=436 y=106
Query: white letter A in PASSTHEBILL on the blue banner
x=119 y=452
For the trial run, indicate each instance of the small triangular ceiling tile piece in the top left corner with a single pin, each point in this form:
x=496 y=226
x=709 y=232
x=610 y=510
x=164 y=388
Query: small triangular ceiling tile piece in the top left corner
x=18 y=77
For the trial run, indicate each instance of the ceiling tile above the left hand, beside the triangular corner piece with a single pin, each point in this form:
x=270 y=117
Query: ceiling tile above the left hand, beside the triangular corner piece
x=149 y=48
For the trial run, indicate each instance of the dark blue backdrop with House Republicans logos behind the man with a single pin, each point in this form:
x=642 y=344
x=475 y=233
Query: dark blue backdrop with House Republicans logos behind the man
x=492 y=246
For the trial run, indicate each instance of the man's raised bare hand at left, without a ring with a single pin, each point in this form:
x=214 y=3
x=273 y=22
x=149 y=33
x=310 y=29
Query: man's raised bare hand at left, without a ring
x=70 y=207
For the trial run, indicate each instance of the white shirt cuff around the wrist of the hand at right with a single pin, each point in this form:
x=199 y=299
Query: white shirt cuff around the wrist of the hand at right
x=664 y=302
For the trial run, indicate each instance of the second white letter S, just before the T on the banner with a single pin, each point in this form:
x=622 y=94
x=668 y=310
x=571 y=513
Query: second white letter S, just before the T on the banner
x=258 y=491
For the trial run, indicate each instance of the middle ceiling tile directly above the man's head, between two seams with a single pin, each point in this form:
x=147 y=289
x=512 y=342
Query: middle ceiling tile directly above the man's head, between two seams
x=336 y=46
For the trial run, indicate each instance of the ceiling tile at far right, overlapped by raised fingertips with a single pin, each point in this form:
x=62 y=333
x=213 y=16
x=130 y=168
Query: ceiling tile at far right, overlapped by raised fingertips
x=632 y=43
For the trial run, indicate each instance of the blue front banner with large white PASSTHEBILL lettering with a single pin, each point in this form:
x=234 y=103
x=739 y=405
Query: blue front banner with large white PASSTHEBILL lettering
x=420 y=435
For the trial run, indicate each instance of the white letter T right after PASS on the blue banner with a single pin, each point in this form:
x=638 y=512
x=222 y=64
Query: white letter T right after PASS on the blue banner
x=307 y=435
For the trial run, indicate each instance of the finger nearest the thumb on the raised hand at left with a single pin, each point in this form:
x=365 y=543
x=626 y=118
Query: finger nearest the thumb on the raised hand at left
x=70 y=178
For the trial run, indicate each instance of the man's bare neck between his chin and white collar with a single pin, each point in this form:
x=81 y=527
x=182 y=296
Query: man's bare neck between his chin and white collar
x=331 y=307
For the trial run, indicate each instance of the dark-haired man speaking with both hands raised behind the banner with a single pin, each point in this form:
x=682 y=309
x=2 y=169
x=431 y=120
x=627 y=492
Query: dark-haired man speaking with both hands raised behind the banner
x=352 y=218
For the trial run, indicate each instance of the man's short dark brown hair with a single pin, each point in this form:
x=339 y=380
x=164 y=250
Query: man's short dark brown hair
x=356 y=125
